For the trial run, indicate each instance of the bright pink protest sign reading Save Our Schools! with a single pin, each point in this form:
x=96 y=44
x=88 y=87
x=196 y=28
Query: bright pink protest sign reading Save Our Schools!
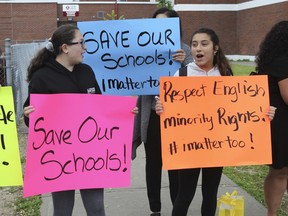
x=78 y=141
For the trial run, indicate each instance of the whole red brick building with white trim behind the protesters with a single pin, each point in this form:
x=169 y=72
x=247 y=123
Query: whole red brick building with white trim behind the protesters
x=240 y=24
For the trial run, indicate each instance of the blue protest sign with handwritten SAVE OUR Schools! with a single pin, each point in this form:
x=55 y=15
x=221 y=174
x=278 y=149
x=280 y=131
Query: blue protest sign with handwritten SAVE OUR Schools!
x=129 y=56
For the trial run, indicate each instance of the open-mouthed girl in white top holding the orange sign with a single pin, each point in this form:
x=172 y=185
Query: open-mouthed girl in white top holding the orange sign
x=209 y=60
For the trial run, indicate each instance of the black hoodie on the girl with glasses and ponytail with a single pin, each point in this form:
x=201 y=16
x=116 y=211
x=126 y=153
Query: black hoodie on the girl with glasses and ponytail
x=54 y=78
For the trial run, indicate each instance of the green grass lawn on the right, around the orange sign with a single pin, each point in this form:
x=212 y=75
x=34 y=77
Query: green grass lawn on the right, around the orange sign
x=251 y=178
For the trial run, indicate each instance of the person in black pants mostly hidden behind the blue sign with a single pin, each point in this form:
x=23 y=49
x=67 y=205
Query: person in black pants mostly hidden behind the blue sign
x=147 y=130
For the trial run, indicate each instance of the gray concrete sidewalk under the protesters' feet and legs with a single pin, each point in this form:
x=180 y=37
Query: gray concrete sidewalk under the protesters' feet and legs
x=133 y=201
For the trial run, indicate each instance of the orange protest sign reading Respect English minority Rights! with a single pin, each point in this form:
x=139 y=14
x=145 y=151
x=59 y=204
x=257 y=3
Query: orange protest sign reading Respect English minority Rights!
x=215 y=121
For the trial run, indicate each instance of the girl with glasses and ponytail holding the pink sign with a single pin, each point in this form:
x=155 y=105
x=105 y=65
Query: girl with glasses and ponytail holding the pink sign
x=58 y=68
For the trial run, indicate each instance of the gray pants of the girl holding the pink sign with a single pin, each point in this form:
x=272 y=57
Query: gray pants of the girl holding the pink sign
x=93 y=200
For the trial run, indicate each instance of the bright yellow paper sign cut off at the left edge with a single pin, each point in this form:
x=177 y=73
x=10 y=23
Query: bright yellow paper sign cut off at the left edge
x=10 y=163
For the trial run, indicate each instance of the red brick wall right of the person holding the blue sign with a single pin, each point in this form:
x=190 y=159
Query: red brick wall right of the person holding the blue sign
x=240 y=32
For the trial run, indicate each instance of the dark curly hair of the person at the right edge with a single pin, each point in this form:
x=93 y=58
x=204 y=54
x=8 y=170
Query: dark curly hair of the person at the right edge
x=274 y=45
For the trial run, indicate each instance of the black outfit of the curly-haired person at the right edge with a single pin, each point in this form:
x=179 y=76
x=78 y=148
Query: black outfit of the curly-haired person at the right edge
x=277 y=71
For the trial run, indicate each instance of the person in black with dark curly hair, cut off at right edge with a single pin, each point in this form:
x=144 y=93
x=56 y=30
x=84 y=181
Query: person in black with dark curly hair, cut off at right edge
x=272 y=60
